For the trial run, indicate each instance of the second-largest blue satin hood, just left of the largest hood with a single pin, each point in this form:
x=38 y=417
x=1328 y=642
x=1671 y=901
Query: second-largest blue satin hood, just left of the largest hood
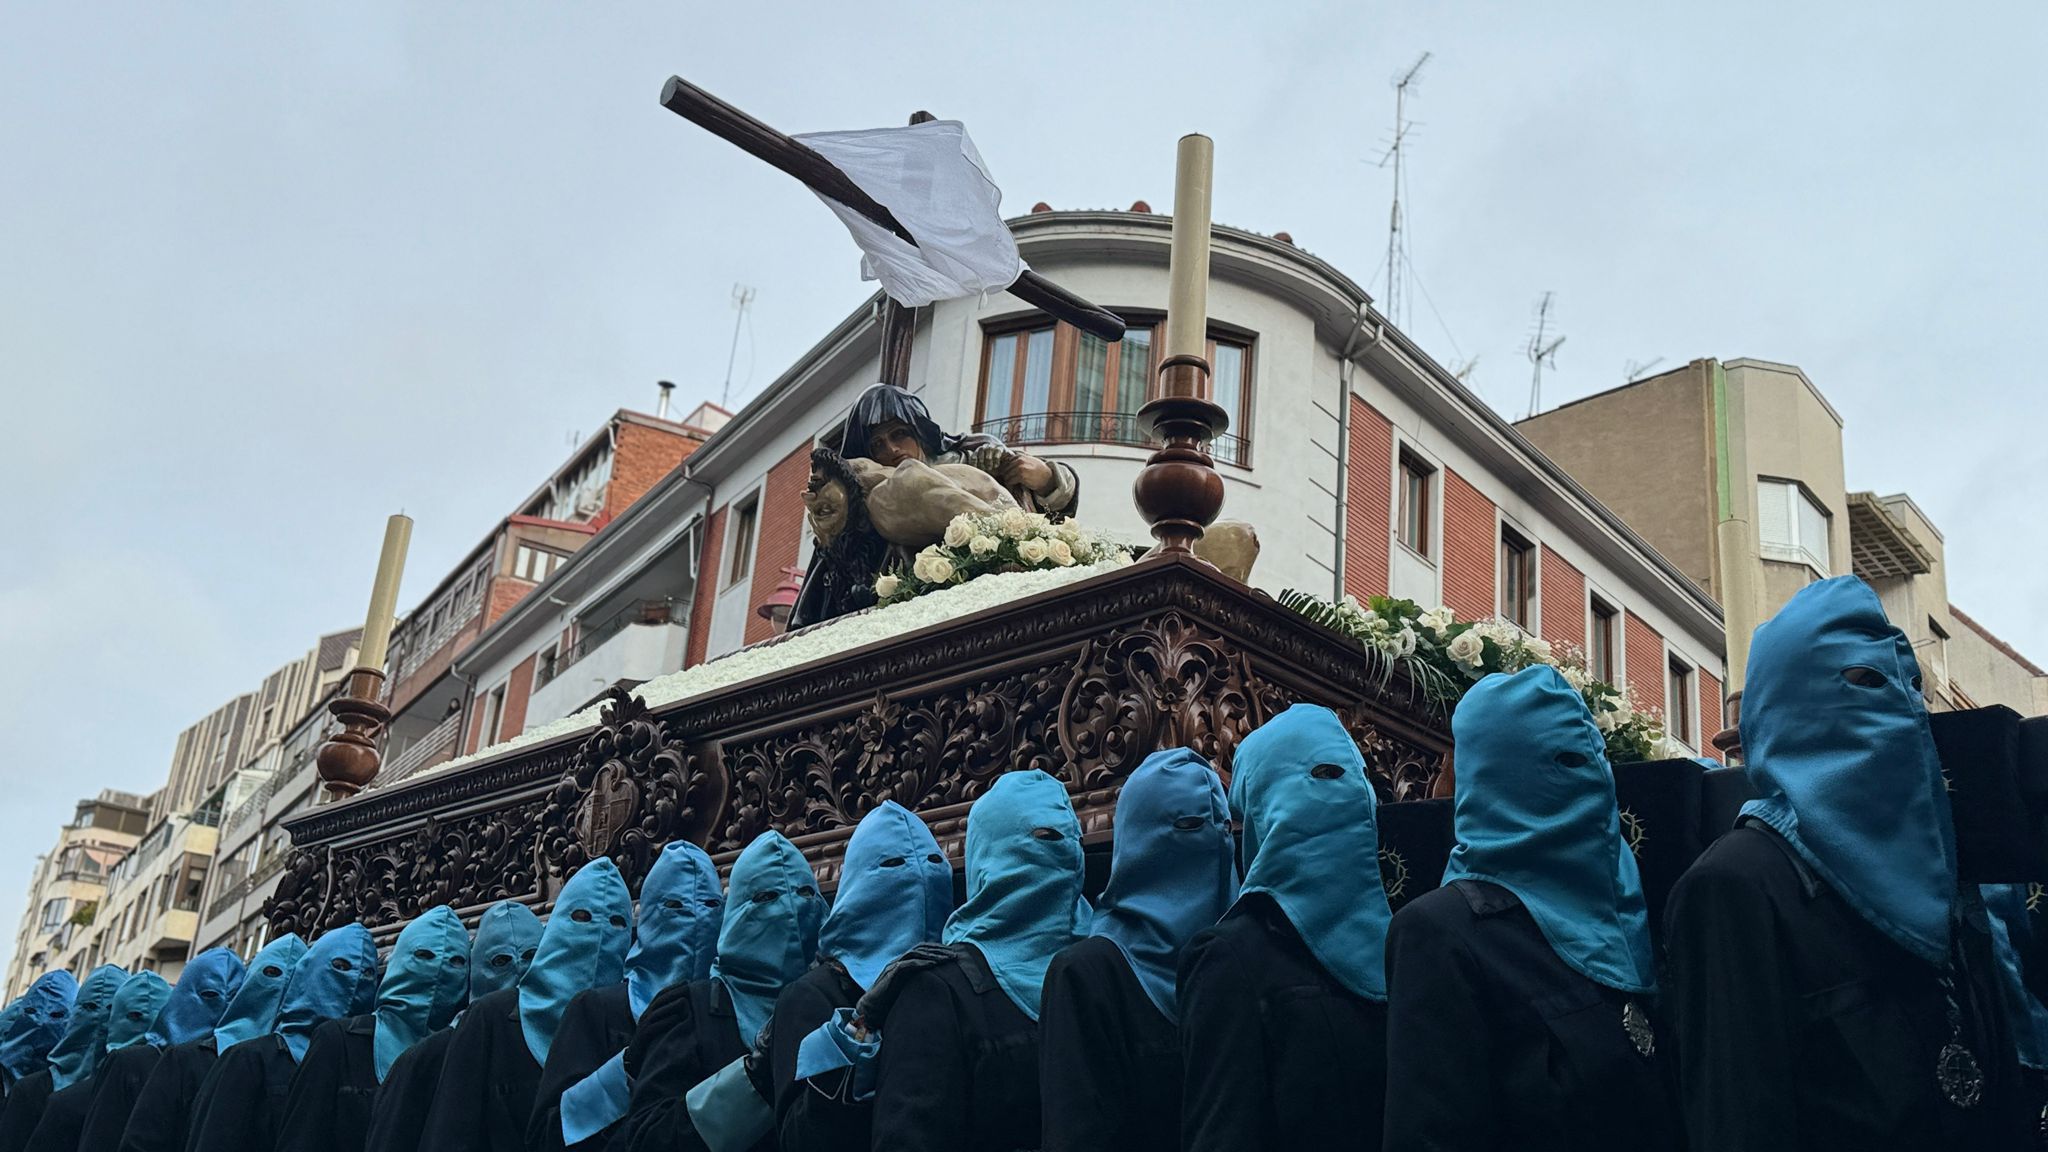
x=1537 y=815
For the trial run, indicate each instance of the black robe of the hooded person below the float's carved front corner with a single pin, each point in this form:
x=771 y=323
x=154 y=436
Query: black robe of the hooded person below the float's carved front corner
x=1109 y=1059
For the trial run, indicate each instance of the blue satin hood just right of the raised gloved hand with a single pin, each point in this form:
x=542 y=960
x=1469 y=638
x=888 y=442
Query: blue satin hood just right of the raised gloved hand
x=1023 y=882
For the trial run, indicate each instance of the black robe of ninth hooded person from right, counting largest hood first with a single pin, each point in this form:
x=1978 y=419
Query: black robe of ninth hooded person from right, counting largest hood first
x=486 y=1083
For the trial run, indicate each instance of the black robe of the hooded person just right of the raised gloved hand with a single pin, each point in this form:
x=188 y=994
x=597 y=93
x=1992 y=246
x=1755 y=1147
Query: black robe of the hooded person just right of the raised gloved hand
x=959 y=1065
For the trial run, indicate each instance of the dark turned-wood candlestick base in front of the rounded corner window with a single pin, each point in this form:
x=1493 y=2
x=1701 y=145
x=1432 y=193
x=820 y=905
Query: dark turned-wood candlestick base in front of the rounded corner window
x=1179 y=491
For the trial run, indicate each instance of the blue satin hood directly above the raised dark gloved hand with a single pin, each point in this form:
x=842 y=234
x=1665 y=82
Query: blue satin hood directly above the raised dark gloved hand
x=896 y=891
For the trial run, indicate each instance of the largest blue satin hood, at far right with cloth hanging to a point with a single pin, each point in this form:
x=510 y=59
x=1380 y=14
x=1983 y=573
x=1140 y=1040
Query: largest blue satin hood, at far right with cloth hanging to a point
x=1838 y=747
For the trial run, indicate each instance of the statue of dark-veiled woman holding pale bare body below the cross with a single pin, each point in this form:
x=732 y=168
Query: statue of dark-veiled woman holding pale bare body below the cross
x=892 y=489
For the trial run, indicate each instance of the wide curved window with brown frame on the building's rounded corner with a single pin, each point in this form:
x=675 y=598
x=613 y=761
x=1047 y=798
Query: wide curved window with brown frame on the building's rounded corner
x=1050 y=384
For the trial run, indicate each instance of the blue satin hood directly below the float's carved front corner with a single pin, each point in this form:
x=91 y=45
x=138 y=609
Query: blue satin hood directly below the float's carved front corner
x=1172 y=870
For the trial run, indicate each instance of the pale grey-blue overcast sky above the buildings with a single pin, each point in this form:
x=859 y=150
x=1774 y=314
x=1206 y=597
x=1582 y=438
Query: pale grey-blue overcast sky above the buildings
x=273 y=276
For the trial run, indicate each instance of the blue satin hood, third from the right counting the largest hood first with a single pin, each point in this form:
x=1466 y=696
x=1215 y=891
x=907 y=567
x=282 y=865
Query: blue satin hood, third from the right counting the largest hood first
x=1314 y=844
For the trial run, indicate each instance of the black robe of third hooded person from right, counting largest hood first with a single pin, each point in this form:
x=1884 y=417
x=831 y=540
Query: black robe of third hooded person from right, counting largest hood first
x=1277 y=1053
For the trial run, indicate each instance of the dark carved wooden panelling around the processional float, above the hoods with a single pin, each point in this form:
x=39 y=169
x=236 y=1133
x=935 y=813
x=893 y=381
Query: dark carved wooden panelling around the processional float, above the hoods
x=1082 y=684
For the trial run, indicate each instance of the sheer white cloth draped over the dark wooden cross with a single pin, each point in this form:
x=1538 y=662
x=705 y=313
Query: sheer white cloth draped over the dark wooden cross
x=935 y=183
